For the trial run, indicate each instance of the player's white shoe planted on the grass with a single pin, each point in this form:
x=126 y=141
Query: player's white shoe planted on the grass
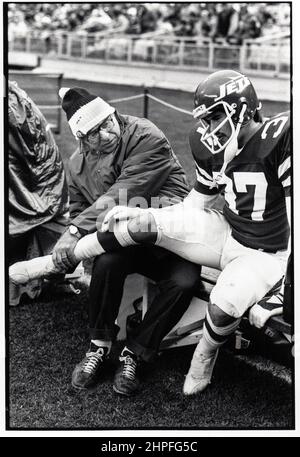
x=200 y=373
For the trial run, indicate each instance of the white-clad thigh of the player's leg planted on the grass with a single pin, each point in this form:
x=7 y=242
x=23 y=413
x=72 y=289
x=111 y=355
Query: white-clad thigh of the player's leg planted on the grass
x=244 y=281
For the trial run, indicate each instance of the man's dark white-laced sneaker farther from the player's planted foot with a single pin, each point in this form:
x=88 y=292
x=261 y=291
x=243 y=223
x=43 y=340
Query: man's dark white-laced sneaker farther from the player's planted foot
x=86 y=373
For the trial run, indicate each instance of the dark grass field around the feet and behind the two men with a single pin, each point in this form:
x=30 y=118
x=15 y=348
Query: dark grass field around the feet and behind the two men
x=48 y=337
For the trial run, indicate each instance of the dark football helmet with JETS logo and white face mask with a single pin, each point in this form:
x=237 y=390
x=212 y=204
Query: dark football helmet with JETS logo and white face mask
x=232 y=95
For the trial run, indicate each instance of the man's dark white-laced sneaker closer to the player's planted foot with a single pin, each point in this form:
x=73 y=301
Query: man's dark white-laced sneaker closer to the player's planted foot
x=126 y=381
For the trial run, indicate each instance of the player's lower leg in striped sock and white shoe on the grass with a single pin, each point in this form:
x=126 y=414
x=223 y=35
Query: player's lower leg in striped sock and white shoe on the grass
x=218 y=326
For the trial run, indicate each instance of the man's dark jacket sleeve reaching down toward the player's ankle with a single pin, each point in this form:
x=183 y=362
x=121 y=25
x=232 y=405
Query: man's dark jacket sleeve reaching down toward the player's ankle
x=144 y=171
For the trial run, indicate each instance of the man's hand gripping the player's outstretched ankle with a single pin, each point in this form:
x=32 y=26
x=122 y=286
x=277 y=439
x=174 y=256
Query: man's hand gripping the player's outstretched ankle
x=63 y=254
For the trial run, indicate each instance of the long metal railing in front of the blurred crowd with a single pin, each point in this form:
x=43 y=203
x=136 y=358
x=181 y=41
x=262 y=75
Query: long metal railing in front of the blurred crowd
x=270 y=55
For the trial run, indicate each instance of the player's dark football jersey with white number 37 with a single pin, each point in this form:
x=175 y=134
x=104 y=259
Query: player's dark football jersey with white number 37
x=255 y=183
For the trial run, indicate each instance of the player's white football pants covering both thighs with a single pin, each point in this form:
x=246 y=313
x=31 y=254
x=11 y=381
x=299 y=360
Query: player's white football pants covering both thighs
x=203 y=236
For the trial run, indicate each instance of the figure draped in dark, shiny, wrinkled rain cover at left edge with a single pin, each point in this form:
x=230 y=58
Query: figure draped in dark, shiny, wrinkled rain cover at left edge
x=38 y=192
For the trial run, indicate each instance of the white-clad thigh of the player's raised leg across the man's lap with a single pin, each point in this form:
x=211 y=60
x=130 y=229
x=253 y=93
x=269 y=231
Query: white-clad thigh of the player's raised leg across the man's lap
x=196 y=235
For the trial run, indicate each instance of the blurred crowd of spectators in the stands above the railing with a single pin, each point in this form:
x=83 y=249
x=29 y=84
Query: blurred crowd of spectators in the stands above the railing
x=230 y=22
